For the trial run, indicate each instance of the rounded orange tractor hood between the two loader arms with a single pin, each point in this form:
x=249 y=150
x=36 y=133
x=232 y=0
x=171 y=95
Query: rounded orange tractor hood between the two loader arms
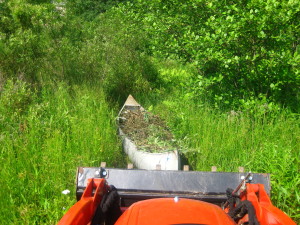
x=166 y=211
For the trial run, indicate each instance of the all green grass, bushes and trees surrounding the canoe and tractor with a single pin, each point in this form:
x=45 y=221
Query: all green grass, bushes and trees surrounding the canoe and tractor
x=223 y=74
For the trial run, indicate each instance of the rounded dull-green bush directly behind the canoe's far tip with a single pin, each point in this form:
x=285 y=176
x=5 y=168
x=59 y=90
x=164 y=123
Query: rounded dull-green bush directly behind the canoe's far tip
x=110 y=56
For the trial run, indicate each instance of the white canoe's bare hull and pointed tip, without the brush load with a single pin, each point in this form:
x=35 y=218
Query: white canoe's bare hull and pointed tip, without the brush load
x=168 y=160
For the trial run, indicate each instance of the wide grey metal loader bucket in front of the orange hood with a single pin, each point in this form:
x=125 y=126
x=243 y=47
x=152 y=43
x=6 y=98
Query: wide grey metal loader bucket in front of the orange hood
x=136 y=185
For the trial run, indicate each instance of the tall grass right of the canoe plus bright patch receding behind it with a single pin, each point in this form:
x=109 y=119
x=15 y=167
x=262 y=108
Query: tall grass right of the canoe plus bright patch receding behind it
x=261 y=138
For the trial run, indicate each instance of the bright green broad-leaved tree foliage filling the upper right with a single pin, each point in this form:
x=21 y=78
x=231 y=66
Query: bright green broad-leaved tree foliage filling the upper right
x=242 y=49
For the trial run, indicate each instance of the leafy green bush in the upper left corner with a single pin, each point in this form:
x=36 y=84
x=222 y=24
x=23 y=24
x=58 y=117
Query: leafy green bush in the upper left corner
x=23 y=42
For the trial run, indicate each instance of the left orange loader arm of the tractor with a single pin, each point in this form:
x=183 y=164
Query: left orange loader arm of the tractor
x=83 y=211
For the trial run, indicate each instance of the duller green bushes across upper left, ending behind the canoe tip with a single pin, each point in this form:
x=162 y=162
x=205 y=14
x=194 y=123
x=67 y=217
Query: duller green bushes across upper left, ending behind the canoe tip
x=51 y=42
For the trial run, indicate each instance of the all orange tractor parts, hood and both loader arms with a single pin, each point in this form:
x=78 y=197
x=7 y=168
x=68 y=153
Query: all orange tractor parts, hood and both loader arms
x=174 y=210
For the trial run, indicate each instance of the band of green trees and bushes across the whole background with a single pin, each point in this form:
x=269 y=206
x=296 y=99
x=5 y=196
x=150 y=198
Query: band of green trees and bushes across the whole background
x=242 y=50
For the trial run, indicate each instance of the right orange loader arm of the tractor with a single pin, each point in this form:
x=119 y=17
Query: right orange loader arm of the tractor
x=266 y=212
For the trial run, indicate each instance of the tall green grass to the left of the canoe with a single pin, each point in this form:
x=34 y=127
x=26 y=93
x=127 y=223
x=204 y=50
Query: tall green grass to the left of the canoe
x=45 y=135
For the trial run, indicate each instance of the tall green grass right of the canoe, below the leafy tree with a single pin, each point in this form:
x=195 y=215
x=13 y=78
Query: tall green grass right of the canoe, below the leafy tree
x=269 y=145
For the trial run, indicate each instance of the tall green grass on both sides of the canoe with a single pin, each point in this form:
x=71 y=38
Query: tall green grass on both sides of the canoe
x=47 y=133
